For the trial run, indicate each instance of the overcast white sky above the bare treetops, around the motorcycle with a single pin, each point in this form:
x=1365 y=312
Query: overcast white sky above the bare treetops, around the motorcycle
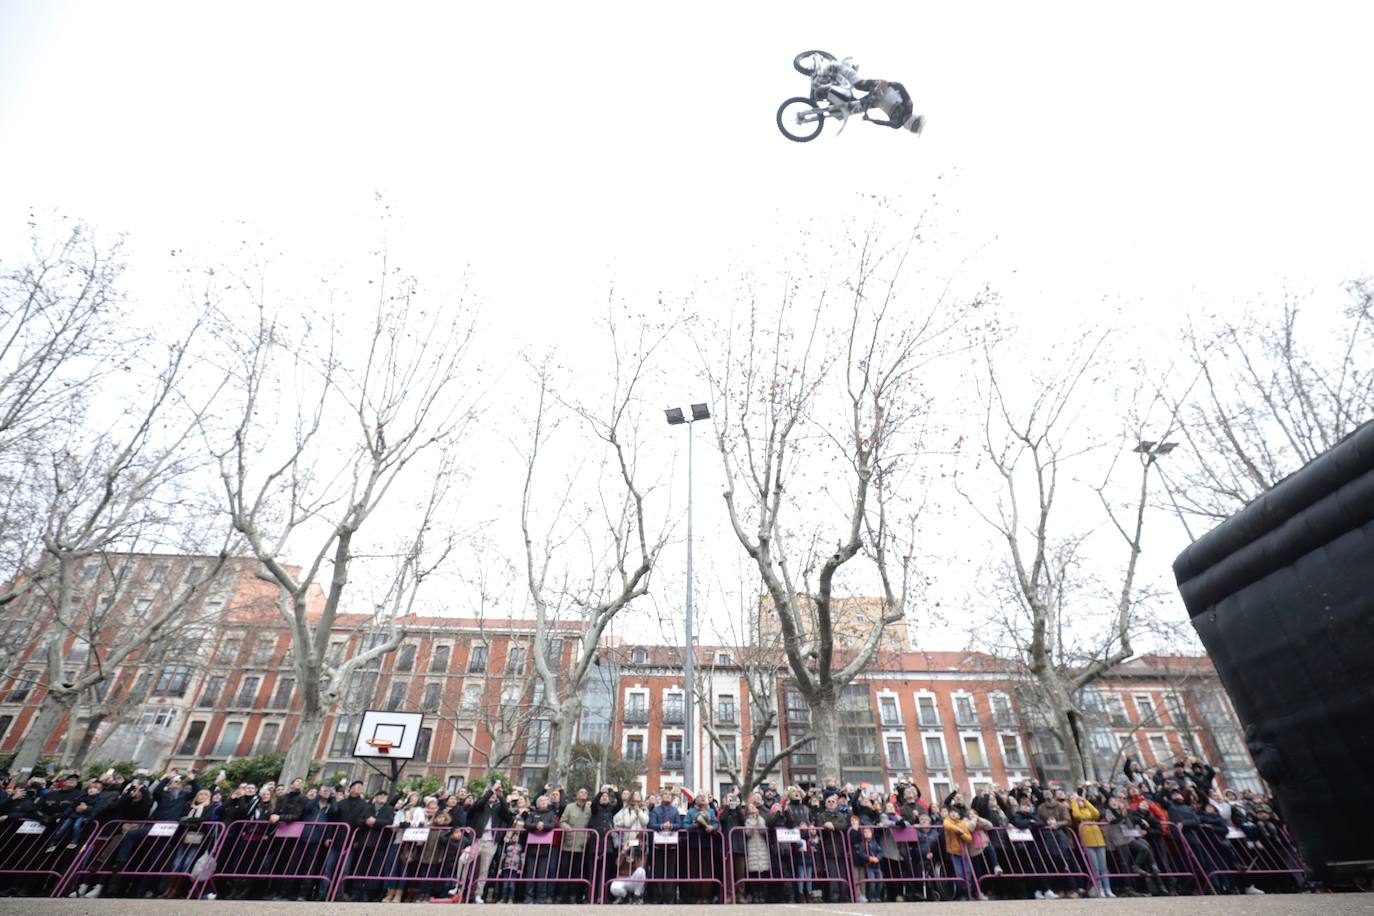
x=1163 y=159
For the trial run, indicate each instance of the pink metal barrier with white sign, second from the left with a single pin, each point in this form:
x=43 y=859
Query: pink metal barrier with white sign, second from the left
x=150 y=855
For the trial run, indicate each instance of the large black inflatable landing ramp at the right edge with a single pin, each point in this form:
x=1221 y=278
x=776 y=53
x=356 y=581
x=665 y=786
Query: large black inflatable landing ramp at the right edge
x=1283 y=595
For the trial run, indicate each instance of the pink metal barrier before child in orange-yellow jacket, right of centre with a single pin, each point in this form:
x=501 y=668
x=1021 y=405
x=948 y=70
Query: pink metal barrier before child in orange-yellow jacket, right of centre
x=913 y=863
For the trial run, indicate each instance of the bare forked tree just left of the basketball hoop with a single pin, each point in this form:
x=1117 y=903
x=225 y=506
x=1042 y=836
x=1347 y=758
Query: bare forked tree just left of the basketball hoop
x=369 y=425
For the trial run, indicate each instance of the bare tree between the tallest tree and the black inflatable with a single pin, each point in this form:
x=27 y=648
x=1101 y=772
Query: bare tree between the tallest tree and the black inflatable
x=1067 y=626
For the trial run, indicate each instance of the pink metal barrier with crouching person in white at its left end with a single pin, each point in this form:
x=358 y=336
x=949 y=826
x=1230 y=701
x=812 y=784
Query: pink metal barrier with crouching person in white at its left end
x=686 y=866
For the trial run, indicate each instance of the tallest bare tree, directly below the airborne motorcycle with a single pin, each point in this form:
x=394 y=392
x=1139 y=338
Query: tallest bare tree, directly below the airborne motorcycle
x=820 y=414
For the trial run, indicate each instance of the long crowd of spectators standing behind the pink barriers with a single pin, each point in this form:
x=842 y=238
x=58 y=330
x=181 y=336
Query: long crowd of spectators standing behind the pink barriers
x=778 y=844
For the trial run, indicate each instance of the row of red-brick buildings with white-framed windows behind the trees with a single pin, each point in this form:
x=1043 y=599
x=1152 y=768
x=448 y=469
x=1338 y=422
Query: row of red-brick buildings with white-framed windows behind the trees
x=226 y=689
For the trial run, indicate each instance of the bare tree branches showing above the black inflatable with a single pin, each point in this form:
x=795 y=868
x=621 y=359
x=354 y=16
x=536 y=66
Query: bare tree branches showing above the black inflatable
x=1272 y=395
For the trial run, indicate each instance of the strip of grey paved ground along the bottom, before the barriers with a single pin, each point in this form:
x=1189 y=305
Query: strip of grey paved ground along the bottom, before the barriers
x=1272 y=906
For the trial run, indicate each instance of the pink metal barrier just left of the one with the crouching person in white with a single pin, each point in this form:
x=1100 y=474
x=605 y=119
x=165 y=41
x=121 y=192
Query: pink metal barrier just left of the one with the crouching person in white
x=526 y=866
